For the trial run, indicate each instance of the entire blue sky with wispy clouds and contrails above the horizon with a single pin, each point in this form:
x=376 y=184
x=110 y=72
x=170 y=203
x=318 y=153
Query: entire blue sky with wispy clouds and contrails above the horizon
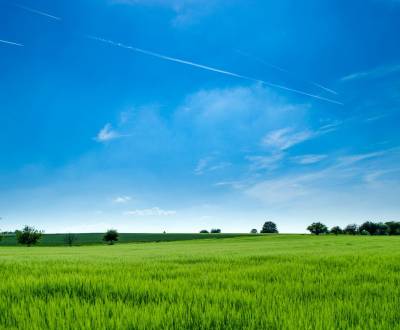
x=104 y=123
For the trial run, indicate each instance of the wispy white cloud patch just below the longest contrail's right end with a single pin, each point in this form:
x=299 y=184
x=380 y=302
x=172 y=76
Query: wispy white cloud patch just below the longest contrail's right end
x=286 y=138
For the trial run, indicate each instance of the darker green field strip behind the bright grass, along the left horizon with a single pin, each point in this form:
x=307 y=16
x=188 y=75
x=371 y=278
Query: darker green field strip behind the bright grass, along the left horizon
x=97 y=238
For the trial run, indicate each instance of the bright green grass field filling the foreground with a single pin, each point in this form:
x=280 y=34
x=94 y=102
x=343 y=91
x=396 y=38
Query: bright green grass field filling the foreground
x=256 y=282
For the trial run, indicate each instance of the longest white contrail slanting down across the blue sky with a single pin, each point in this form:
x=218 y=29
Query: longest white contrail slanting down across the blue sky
x=204 y=67
